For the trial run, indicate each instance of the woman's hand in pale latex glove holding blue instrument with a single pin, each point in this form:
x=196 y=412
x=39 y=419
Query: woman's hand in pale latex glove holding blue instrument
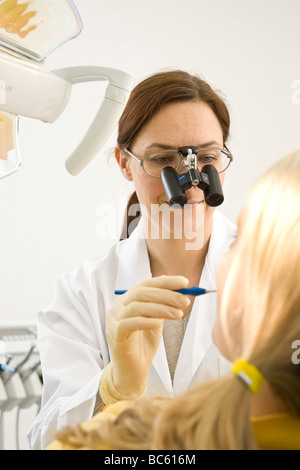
x=134 y=330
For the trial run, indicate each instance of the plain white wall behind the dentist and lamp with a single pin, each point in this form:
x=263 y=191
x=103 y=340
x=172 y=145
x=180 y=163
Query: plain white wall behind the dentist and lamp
x=248 y=49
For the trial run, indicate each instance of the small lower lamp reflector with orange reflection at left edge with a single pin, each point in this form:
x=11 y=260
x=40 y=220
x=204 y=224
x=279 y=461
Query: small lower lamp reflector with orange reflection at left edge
x=10 y=159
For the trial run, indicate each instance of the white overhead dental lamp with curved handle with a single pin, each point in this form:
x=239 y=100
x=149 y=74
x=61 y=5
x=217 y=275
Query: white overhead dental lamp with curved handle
x=30 y=31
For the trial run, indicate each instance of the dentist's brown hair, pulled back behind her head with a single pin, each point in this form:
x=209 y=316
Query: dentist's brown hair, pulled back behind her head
x=156 y=91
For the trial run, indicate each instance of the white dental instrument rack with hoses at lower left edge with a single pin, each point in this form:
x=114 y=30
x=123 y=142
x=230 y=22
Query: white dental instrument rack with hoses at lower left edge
x=20 y=382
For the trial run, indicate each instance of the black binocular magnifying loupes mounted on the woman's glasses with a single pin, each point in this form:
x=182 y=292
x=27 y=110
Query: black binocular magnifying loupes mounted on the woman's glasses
x=208 y=180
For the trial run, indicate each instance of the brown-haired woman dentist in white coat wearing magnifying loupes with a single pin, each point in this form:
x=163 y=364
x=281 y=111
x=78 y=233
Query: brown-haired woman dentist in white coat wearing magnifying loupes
x=96 y=347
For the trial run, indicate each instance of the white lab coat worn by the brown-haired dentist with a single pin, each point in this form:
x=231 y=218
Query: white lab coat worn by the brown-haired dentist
x=72 y=342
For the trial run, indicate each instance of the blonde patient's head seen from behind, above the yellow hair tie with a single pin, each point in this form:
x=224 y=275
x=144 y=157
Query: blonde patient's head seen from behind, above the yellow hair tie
x=259 y=278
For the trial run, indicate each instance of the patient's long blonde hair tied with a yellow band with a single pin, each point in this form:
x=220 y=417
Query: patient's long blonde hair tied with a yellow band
x=216 y=414
